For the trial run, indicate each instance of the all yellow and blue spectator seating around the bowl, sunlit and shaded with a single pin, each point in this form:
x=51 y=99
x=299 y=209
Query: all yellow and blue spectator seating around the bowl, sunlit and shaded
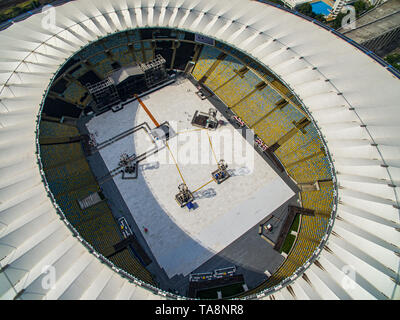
x=244 y=86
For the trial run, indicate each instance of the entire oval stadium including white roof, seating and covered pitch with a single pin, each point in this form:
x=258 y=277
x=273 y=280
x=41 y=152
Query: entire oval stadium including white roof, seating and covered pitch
x=100 y=201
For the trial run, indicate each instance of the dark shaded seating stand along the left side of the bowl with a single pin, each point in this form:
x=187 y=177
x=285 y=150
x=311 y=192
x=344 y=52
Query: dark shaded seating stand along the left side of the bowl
x=70 y=179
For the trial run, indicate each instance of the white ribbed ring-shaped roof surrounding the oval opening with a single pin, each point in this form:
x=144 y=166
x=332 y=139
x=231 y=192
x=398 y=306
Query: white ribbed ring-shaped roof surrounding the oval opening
x=352 y=97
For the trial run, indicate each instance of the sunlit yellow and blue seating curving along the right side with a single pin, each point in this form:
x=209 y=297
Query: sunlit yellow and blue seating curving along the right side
x=302 y=153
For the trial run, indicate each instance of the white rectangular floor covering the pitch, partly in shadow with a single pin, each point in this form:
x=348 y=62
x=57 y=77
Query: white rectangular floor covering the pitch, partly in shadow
x=181 y=239
